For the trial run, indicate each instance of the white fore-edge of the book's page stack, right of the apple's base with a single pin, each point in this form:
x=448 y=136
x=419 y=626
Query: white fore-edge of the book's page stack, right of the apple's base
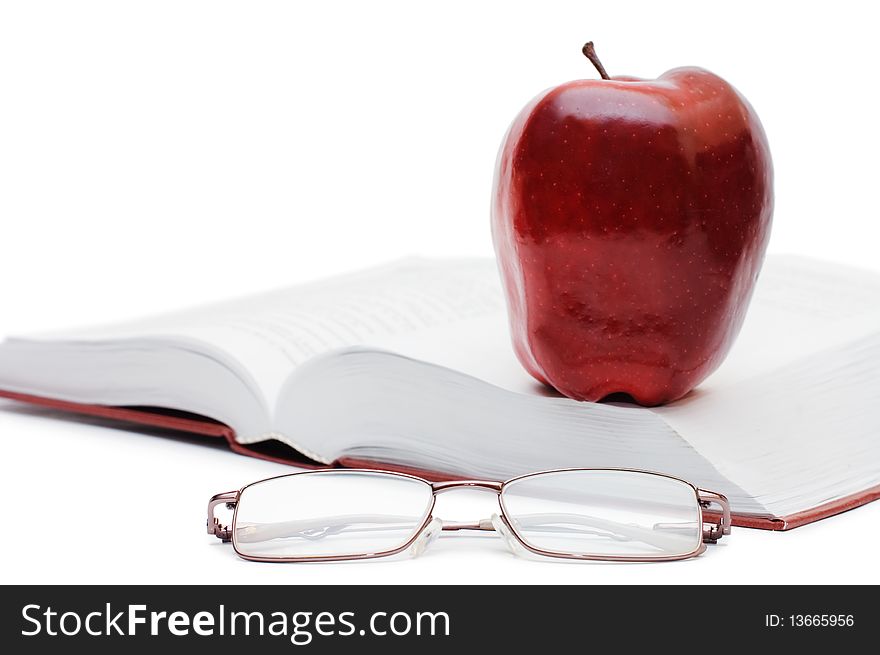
x=797 y=437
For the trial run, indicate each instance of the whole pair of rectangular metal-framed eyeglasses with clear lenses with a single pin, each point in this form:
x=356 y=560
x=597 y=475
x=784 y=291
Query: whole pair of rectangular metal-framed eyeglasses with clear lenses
x=591 y=514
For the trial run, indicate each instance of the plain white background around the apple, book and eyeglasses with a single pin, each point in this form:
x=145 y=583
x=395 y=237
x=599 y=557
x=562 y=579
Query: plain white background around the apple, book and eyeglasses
x=154 y=155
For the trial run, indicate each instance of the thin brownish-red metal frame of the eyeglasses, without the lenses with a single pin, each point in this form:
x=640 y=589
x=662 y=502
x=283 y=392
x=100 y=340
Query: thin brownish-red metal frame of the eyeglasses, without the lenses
x=715 y=523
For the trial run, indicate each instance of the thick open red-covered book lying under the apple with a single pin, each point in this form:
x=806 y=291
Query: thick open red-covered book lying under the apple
x=409 y=367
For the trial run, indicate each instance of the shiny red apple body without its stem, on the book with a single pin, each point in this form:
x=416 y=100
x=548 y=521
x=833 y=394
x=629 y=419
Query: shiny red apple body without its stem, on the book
x=630 y=219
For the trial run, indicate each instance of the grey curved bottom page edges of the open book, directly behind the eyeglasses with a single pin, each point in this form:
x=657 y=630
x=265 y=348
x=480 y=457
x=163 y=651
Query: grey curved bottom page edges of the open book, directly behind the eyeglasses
x=387 y=408
